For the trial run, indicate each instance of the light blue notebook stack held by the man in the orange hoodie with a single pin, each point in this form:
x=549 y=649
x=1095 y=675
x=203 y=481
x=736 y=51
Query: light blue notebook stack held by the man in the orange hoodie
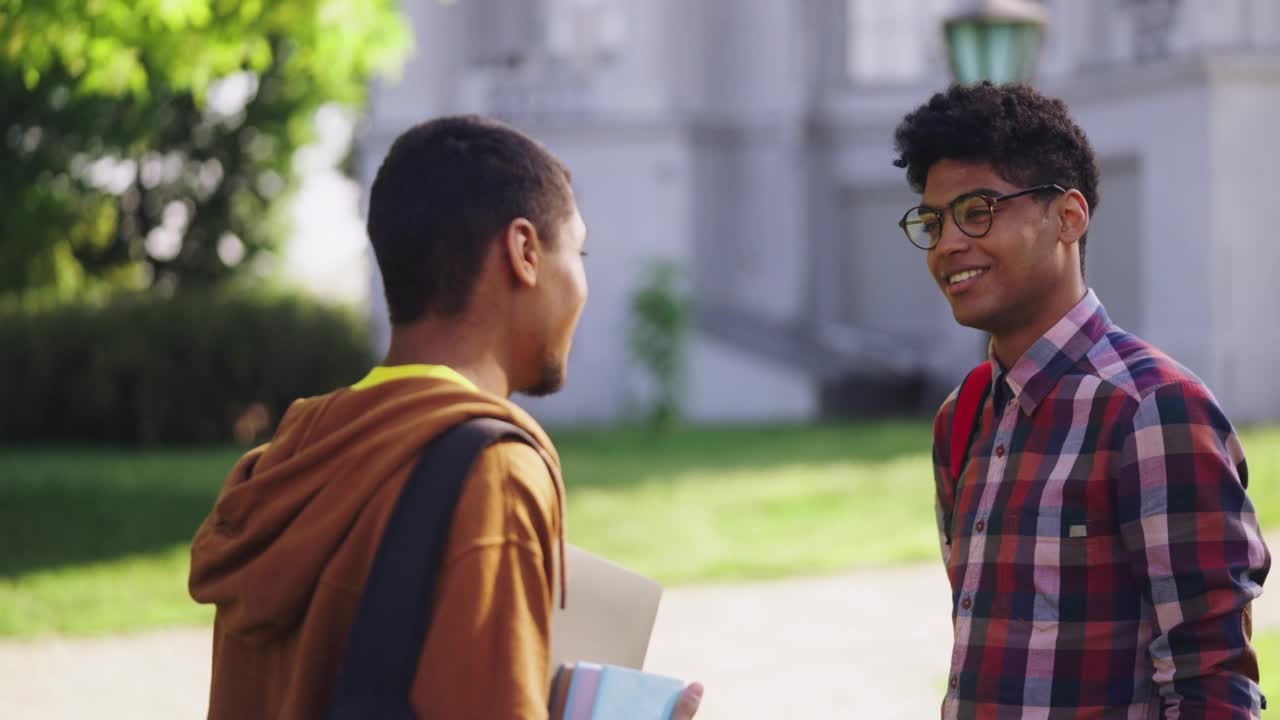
x=586 y=691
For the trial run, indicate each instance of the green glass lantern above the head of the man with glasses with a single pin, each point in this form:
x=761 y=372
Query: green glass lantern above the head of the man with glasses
x=996 y=40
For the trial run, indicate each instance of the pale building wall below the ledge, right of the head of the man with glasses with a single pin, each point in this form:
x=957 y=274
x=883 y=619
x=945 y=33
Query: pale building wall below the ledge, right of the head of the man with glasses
x=1201 y=138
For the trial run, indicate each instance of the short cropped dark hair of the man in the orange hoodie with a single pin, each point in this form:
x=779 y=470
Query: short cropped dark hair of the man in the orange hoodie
x=445 y=192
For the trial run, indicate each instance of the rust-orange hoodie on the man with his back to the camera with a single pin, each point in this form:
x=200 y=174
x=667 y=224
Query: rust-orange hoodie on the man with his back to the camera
x=289 y=546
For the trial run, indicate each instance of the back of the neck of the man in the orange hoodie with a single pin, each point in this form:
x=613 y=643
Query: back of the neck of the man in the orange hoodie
x=460 y=345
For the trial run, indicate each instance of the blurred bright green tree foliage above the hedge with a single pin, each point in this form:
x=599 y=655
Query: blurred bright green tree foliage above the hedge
x=150 y=143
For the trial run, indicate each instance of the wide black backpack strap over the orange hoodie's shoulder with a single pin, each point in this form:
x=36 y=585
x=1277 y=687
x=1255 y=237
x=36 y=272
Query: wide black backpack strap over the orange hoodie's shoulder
x=386 y=641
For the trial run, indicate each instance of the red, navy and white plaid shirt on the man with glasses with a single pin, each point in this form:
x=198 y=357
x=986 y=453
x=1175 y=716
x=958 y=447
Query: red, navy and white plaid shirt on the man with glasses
x=1101 y=549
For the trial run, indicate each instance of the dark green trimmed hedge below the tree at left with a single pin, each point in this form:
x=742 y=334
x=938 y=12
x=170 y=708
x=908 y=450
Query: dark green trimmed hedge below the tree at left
x=194 y=370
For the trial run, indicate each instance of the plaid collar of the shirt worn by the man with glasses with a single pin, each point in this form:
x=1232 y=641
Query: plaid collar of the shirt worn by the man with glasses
x=1036 y=373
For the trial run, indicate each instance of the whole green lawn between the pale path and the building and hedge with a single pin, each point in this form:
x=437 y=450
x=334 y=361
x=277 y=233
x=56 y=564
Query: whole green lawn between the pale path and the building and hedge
x=95 y=540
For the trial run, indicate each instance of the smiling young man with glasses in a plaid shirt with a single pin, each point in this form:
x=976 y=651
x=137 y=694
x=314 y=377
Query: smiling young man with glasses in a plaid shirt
x=1091 y=496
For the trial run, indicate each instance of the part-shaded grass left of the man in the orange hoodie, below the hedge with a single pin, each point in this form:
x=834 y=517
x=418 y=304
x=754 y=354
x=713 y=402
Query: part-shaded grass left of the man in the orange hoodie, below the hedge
x=93 y=540
